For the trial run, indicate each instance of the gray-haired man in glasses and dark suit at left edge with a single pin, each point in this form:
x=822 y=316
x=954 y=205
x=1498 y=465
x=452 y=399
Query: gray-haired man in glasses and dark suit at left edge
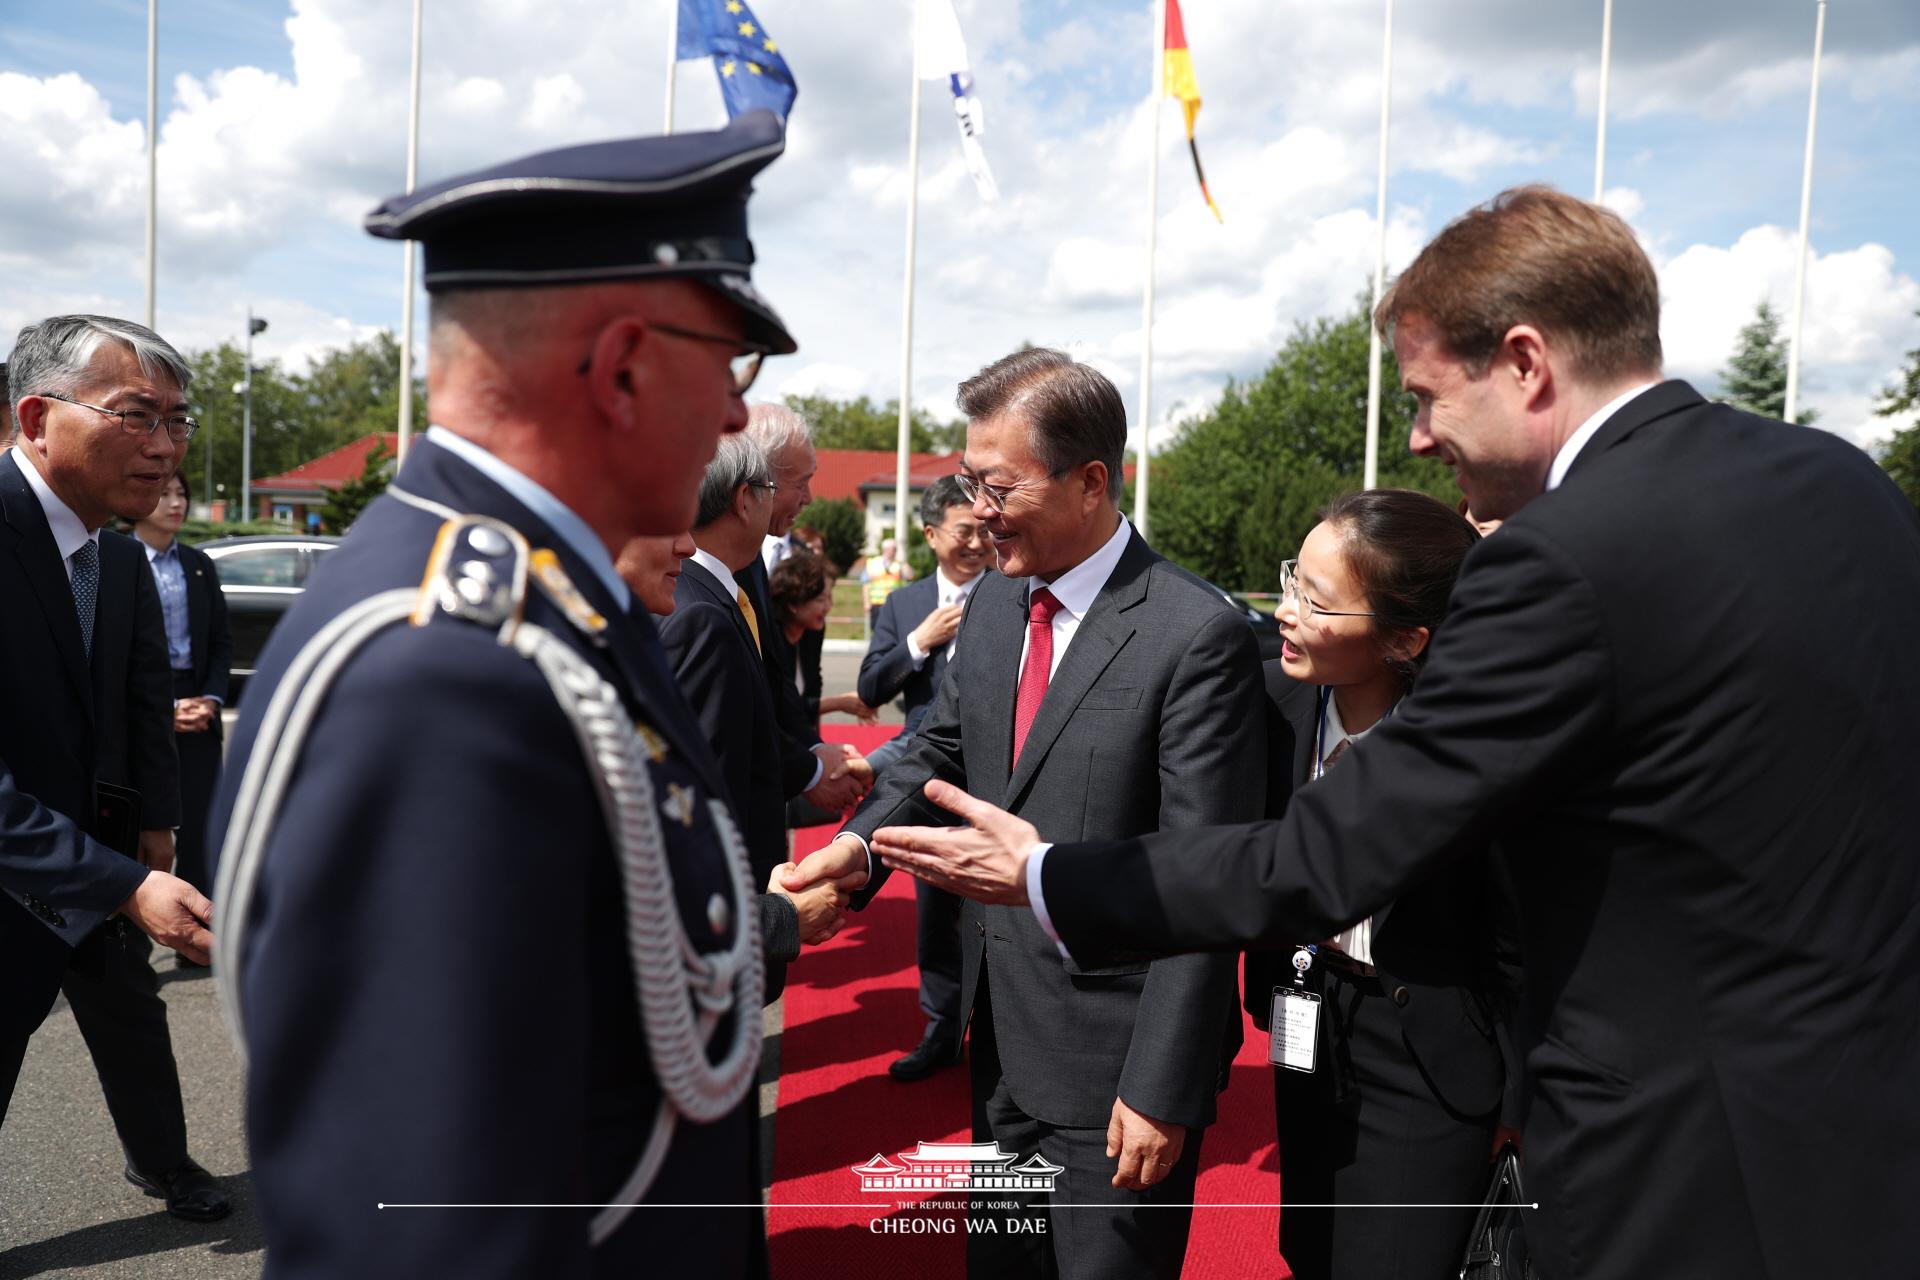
x=87 y=724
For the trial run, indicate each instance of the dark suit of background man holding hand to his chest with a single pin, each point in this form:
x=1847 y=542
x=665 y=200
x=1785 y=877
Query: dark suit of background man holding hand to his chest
x=886 y=673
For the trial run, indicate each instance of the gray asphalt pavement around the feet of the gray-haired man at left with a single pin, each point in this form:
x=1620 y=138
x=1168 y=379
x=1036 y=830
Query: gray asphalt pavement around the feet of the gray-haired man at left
x=66 y=1208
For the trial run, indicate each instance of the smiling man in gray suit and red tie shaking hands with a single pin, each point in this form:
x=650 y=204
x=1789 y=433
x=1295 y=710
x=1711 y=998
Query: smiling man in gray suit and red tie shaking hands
x=1101 y=692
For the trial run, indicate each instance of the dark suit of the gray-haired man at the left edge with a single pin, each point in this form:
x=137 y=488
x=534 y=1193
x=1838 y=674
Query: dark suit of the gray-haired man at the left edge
x=64 y=724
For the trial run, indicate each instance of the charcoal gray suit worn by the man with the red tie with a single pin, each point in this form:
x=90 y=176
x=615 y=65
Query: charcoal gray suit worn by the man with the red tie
x=1151 y=723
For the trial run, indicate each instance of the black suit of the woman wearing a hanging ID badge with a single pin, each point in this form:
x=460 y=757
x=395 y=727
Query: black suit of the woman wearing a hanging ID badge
x=1412 y=1072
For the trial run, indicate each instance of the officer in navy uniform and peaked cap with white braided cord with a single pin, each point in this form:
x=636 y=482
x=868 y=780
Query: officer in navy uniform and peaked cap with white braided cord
x=485 y=922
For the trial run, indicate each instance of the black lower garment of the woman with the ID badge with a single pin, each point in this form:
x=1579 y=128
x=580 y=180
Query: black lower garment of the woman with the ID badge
x=1366 y=1129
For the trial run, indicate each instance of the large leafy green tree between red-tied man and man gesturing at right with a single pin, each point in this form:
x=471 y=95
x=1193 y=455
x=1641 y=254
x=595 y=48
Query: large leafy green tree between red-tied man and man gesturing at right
x=1237 y=490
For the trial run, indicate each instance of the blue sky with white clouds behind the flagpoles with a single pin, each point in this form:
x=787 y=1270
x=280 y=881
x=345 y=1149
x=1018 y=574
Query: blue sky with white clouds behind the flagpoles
x=283 y=124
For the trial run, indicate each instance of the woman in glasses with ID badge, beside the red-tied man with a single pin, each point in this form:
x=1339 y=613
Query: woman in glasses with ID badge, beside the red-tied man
x=1408 y=1078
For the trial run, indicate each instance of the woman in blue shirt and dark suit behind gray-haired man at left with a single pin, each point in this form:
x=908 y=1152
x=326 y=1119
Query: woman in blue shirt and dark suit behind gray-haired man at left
x=201 y=652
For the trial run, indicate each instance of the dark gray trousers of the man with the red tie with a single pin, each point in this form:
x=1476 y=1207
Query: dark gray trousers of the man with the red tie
x=1093 y=1231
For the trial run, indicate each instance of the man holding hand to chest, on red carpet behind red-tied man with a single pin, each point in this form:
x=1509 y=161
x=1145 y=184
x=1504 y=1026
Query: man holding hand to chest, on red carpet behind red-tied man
x=913 y=642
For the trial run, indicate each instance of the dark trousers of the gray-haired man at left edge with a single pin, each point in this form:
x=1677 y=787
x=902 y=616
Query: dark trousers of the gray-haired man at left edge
x=114 y=995
